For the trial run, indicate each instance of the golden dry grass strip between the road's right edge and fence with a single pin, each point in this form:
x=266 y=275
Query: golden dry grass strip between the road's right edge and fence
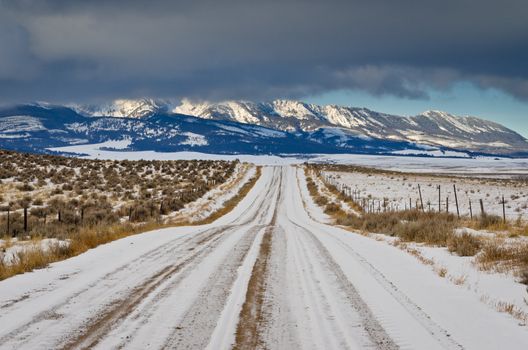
x=437 y=229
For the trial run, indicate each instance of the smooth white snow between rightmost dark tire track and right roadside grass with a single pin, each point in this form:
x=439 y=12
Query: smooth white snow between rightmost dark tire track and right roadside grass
x=432 y=302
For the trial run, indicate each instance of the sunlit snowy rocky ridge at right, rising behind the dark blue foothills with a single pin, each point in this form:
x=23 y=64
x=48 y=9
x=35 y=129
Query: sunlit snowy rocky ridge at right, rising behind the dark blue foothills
x=434 y=128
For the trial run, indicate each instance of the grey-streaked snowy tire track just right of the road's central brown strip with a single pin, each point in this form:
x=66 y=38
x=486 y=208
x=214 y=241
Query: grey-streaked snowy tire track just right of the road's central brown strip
x=326 y=282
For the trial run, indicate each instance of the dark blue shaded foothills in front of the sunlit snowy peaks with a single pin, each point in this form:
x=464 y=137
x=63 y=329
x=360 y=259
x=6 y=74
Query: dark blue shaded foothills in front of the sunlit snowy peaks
x=36 y=128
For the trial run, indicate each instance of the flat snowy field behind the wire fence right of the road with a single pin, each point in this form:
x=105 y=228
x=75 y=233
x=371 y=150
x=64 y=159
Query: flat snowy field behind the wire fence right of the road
x=399 y=189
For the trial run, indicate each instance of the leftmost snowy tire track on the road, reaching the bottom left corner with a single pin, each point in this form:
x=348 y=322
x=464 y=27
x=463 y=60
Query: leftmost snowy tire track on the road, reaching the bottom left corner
x=171 y=252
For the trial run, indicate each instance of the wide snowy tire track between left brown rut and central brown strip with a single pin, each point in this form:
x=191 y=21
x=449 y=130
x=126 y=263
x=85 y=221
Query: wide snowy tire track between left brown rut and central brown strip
x=131 y=328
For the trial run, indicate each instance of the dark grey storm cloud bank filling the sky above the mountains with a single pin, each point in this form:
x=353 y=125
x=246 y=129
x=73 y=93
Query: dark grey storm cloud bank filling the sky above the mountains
x=81 y=50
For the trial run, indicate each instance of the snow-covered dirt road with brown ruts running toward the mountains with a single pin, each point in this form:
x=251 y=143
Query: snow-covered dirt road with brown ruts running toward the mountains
x=269 y=275
